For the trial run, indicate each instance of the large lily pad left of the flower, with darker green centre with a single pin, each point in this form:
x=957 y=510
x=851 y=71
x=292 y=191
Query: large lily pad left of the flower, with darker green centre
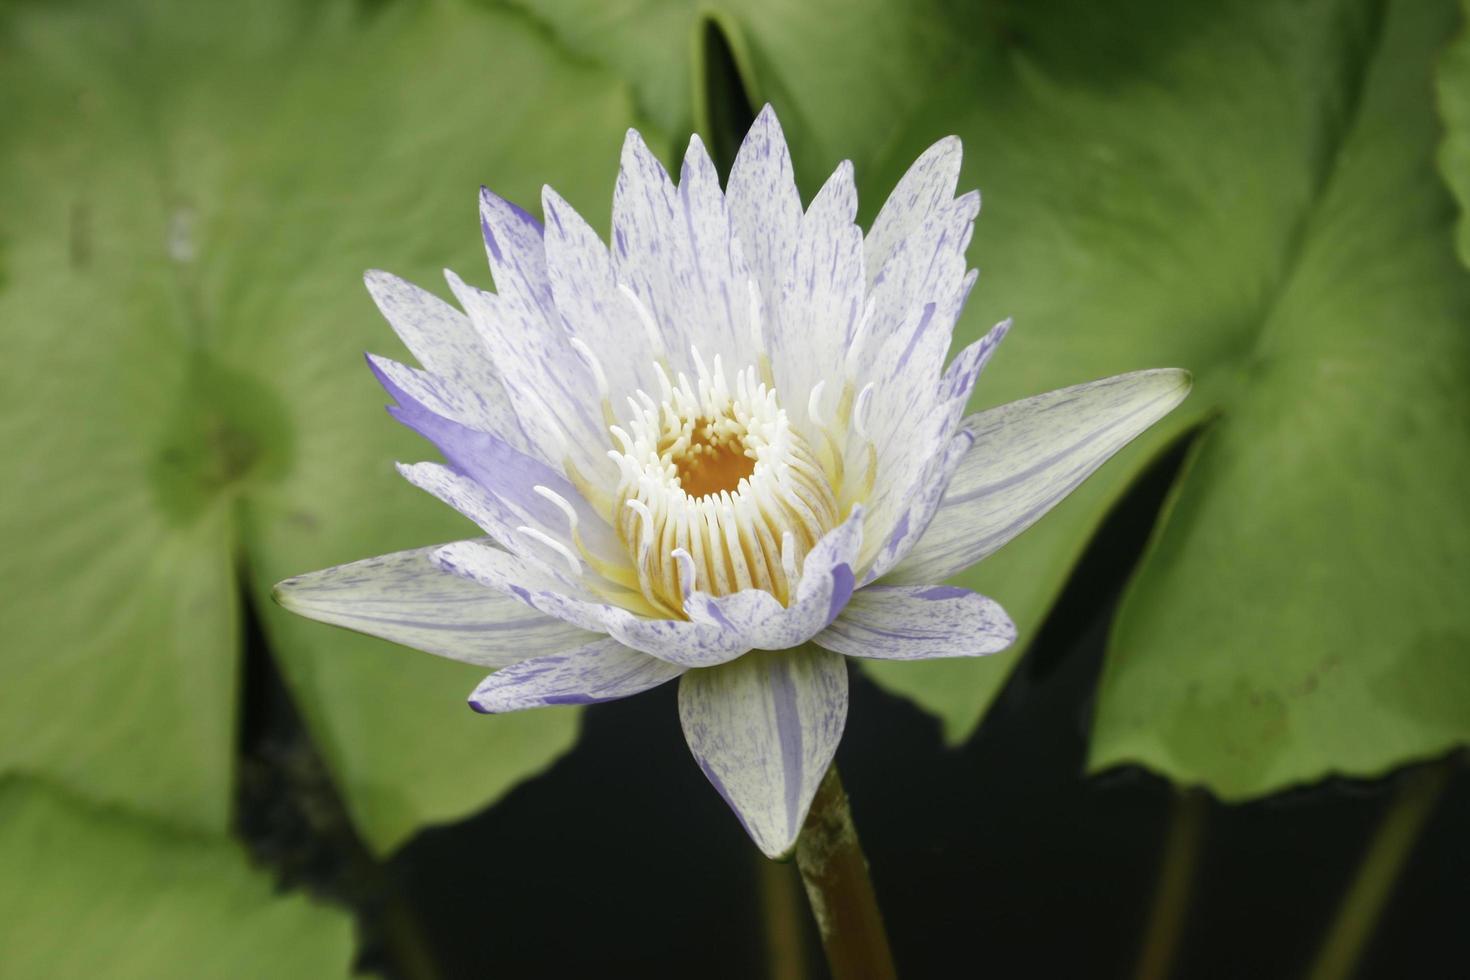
x=189 y=198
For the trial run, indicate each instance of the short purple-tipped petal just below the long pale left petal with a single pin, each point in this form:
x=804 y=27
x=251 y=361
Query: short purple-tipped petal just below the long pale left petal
x=602 y=671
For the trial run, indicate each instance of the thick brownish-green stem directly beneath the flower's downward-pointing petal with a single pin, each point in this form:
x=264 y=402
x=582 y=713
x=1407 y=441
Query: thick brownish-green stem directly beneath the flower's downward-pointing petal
x=836 y=875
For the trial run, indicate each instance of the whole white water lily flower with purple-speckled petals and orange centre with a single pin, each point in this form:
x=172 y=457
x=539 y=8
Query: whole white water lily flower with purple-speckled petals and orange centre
x=725 y=449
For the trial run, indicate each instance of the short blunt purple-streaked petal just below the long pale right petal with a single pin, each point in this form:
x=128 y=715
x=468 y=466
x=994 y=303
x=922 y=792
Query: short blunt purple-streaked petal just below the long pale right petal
x=919 y=624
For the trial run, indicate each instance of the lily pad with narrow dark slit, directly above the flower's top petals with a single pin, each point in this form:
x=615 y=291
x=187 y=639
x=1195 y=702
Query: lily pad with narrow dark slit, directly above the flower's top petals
x=845 y=74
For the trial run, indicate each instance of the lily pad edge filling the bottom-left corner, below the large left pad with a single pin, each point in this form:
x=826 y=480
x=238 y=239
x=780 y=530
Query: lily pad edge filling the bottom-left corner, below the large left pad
x=90 y=894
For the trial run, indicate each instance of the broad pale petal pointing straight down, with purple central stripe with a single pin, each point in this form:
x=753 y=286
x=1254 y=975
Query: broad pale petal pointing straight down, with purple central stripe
x=765 y=729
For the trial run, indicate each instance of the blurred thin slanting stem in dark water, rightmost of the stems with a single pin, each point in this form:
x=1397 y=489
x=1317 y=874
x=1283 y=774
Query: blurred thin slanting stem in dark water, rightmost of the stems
x=1390 y=849
